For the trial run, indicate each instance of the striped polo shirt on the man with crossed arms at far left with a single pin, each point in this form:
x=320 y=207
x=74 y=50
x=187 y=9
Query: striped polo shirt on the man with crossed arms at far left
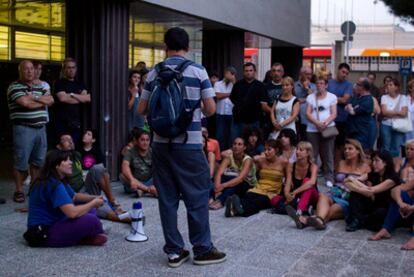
x=20 y=115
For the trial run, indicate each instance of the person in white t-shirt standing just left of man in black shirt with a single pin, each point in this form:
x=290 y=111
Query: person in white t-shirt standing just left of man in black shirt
x=224 y=113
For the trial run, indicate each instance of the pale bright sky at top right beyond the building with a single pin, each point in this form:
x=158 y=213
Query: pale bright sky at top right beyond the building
x=367 y=12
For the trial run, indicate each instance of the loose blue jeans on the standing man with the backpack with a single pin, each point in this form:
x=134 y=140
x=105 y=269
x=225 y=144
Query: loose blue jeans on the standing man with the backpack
x=186 y=173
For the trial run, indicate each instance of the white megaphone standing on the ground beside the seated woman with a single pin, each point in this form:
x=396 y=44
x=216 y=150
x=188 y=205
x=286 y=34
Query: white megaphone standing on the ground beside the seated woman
x=137 y=233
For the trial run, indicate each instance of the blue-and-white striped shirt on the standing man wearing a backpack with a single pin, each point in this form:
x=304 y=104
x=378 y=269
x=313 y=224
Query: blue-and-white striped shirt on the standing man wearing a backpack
x=197 y=84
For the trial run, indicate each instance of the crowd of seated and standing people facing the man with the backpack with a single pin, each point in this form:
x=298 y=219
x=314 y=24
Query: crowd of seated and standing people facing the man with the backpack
x=283 y=141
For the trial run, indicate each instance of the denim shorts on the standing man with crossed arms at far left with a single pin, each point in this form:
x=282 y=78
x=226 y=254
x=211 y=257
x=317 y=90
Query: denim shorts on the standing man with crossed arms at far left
x=30 y=146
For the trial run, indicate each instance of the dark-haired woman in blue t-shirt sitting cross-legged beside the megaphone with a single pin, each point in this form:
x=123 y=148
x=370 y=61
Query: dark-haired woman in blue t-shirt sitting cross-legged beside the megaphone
x=54 y=220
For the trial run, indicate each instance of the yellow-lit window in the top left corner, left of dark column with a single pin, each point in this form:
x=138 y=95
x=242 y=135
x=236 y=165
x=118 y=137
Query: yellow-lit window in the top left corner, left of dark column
x=44 y=39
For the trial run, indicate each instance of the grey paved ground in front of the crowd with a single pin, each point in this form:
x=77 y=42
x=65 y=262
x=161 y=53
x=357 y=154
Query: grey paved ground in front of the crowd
x=261 y=245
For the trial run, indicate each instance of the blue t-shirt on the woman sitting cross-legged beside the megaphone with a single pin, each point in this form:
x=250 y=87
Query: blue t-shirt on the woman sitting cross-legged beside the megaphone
x=45 y=200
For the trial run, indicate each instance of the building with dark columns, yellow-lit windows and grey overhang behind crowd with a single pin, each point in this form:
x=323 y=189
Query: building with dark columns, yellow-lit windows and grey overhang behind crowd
x=109 y=37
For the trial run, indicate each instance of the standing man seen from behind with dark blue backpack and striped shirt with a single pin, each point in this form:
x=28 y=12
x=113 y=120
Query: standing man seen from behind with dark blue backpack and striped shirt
x=175 y=94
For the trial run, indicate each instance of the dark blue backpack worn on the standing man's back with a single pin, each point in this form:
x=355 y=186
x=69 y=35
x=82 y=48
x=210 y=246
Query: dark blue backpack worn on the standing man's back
x=169 y=115
